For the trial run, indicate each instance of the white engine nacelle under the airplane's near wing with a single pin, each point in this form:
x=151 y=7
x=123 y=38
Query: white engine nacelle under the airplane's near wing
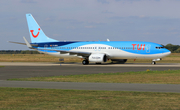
x=98 y=58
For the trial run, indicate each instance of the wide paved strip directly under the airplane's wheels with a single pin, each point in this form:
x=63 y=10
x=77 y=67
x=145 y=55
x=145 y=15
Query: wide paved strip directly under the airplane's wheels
x=25 y=70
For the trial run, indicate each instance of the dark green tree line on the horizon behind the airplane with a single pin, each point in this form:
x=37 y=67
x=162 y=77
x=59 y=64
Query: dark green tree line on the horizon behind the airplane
x=171 y=47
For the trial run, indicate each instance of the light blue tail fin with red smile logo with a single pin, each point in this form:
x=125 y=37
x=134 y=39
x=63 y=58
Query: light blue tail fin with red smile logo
x=36 y=33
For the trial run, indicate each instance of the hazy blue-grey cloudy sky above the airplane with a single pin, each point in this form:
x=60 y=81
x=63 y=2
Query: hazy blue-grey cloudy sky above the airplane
x=91 y=20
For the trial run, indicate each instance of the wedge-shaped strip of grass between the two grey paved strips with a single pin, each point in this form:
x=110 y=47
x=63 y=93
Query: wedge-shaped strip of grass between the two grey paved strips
x=161 y=77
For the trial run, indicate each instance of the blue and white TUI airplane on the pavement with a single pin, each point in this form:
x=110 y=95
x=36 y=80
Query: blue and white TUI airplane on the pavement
x=92 y=51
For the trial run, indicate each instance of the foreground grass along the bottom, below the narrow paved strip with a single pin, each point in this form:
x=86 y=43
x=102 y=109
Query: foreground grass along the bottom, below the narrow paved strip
x=54 y=99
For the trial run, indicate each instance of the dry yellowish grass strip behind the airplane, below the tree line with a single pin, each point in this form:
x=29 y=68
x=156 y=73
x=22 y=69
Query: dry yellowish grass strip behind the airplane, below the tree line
x=173 y=58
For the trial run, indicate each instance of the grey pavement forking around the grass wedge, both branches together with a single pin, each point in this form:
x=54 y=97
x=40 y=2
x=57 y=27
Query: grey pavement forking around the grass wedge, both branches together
x=24 y=70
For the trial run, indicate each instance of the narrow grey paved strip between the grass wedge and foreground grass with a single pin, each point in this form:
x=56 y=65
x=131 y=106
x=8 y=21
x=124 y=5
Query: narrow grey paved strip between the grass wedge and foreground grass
x=93 y=86
